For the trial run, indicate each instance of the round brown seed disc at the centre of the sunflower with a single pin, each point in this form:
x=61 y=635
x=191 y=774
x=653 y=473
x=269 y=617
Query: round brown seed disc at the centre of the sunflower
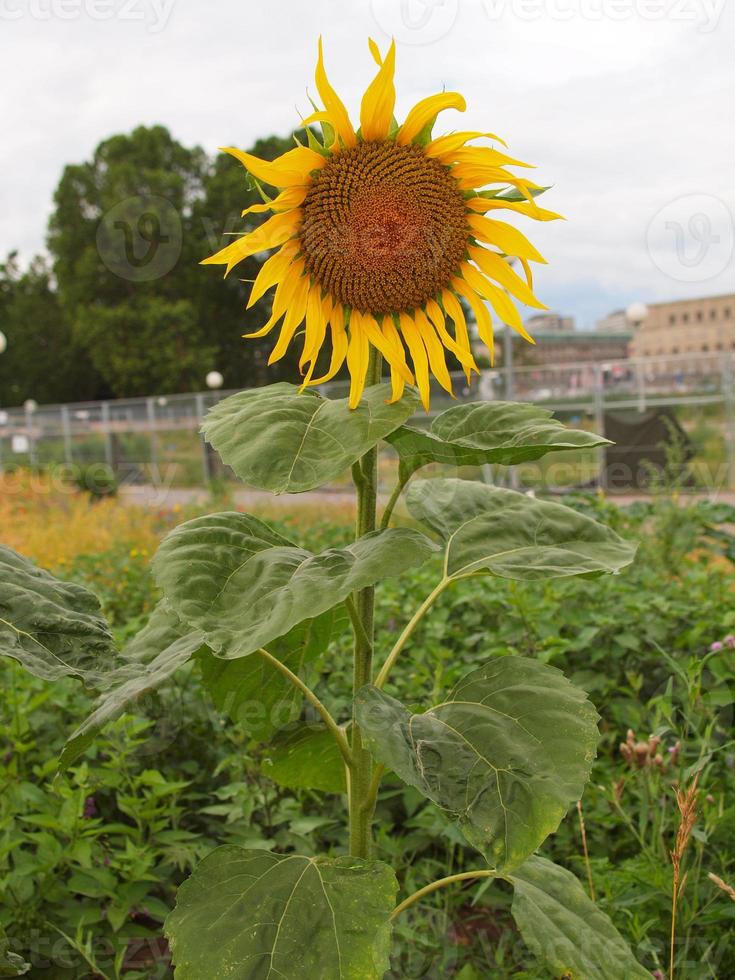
x=384 y=227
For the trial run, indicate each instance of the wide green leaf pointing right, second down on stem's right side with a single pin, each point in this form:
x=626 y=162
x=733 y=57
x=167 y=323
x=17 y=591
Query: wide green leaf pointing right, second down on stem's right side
x=508 y=534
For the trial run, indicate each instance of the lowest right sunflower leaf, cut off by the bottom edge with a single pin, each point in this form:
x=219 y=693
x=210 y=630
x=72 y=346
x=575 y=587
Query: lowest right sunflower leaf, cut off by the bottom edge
x=567 y=931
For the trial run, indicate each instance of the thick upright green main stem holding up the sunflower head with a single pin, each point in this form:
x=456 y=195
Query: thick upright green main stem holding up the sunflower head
x=365 y=475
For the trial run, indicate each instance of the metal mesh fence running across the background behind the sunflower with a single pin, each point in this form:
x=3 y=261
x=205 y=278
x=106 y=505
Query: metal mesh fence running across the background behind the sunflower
x=156 y=440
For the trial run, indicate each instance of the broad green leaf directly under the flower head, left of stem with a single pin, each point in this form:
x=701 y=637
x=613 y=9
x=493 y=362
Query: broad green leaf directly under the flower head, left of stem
x=281 y=439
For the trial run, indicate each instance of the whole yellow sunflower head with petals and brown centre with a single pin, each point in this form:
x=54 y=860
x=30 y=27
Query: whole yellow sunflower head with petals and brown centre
x=382 y=233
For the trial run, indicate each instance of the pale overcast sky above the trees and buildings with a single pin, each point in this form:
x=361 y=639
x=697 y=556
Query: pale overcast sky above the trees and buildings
x=624 y=105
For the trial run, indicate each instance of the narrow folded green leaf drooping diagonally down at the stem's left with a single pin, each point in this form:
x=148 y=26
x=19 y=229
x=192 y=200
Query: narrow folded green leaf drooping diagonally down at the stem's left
x=150 y=658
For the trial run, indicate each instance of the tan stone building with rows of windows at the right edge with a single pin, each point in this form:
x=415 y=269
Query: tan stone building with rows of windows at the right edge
x=692 y=326
